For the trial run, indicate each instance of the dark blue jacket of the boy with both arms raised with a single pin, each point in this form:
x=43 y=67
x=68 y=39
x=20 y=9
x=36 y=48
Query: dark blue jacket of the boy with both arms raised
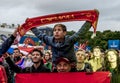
x=63 y=49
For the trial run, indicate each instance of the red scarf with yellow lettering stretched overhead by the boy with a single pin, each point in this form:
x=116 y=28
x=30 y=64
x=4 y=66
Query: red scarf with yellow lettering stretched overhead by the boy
x=88 y=15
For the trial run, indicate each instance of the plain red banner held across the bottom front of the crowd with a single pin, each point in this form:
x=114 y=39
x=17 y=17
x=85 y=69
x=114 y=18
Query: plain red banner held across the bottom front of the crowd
x=71 y=77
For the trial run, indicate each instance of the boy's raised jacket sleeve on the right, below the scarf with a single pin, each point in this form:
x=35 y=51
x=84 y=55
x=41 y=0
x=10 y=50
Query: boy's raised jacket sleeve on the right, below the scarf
x=84 y=29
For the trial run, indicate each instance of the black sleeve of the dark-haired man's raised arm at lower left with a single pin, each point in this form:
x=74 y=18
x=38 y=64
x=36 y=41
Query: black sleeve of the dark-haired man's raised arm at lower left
x=12 y=65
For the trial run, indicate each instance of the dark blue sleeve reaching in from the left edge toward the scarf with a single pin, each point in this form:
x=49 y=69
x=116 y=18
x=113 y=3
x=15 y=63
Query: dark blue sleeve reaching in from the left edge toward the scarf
x=6 y=45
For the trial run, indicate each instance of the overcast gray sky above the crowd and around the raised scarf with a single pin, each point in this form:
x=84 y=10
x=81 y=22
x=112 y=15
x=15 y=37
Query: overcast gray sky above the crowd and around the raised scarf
x=16 y=11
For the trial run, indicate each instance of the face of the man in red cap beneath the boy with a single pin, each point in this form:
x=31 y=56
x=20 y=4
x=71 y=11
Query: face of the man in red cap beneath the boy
x=63 y=67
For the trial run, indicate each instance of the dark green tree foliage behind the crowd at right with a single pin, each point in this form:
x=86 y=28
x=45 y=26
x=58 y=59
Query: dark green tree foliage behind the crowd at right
x=101 y=38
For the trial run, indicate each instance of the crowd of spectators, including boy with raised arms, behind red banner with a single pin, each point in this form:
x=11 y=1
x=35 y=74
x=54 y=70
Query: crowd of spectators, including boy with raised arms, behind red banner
x=60 y=58
